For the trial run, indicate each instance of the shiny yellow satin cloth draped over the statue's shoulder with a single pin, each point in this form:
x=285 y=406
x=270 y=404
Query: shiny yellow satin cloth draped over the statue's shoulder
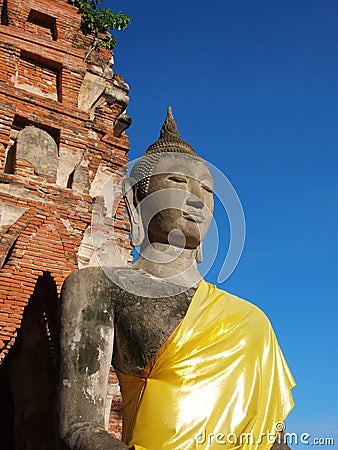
x=219 y=380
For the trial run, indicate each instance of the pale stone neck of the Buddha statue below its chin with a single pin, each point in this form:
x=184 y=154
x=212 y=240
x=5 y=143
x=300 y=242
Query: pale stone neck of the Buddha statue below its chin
x=174 y=264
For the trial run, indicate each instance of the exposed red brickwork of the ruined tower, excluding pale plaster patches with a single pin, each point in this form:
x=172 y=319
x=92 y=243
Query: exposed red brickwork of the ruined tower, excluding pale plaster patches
x=42 y=69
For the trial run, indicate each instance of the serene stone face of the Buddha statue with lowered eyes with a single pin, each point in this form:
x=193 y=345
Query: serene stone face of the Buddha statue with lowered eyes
x=178 y=207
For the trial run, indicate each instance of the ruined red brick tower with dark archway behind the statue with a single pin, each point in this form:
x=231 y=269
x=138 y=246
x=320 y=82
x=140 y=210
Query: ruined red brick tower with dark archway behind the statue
x=62 y=123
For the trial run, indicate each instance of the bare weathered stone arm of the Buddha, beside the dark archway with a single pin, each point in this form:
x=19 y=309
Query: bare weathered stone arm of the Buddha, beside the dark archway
x=85 y=357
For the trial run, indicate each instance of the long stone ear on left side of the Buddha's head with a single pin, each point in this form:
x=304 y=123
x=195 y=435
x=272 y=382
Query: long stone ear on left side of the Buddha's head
x=137 y=231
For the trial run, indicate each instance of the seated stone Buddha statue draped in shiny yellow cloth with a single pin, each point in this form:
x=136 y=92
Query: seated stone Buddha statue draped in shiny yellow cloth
x=197 y=366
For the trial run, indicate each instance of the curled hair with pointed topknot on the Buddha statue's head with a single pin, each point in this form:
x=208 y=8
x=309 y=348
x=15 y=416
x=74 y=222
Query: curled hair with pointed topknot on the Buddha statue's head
x=169 y=142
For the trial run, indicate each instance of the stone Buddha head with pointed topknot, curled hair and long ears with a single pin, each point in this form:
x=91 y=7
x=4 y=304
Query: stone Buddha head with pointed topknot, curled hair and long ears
x=169 y=195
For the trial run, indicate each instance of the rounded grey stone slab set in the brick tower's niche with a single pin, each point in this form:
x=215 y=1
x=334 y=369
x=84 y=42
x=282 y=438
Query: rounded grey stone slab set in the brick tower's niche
x=39 y=148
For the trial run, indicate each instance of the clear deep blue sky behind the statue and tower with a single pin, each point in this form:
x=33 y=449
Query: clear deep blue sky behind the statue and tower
x=254 y=89
